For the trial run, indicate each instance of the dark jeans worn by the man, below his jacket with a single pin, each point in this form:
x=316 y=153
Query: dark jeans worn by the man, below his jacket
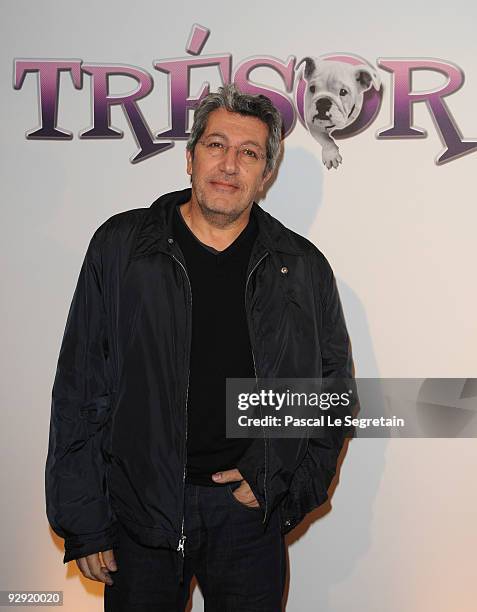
x=238 y=566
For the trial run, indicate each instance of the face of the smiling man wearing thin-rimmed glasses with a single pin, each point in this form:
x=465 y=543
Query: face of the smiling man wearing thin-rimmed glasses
x=225 y=186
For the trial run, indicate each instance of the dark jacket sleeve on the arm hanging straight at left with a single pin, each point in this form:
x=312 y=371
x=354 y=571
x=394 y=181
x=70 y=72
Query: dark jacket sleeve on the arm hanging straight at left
x=77 y=501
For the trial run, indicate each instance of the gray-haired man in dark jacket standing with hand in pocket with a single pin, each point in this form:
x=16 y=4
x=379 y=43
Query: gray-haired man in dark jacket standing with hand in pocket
x=141 y=480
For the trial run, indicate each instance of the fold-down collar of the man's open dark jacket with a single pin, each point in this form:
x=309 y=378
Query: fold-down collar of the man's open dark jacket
x=155 y=231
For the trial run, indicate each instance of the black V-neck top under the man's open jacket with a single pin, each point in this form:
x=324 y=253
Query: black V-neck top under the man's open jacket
x=220 y=346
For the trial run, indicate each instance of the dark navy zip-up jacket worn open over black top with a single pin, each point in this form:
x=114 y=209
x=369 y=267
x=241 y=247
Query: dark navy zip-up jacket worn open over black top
x=117 y=446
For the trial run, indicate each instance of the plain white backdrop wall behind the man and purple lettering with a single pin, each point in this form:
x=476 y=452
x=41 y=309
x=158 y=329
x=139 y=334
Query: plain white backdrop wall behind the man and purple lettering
x=398 y=229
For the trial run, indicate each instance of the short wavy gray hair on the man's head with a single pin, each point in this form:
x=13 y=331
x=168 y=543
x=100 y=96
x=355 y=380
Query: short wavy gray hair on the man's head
x=233 y=100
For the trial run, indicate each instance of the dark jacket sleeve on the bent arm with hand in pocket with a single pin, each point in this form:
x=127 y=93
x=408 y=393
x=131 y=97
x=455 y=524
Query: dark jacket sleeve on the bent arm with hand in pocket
x=312 y=478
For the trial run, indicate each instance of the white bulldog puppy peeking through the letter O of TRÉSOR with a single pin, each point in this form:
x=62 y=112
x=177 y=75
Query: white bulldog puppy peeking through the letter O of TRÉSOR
x=333 y=99
